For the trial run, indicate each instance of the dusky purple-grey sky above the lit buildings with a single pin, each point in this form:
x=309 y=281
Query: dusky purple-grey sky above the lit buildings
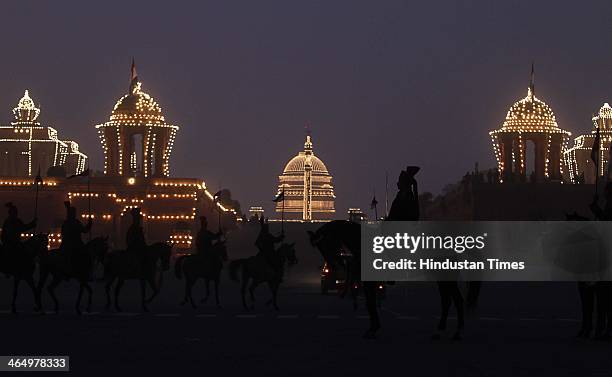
x=383 y=84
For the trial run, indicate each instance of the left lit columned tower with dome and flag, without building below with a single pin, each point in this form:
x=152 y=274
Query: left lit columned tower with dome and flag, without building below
x=136 y=140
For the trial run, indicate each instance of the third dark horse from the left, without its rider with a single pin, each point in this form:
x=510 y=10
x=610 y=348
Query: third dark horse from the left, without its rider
x=120 y=265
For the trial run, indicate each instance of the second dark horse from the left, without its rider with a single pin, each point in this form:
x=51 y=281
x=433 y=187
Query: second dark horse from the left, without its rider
x=78 y=265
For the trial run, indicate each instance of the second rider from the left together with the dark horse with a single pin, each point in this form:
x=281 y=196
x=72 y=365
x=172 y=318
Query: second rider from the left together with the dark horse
x=73 y=260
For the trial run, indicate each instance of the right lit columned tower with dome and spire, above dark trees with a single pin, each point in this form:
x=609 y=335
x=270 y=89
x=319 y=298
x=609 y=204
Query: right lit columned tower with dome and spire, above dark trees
x=529 y=120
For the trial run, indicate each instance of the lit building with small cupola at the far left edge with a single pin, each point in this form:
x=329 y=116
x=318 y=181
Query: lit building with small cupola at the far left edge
x=27 y=146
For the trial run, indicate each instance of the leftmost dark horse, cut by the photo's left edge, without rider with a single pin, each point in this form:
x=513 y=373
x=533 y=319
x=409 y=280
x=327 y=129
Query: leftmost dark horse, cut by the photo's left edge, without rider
x=20 y=264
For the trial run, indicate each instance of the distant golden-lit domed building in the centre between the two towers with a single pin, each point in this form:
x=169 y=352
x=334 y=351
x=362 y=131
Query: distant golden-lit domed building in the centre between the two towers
x=307 y=188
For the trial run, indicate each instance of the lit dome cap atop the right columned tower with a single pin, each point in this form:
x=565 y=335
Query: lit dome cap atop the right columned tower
x=530 y=114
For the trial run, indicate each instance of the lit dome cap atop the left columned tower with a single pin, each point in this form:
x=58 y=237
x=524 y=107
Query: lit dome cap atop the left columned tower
x=137 y=106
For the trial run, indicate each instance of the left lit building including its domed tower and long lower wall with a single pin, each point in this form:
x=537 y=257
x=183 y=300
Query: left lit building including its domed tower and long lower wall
x=137 y=143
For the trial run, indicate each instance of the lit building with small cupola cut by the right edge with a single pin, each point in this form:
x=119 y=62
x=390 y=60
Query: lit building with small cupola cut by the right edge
x=581 y=168
